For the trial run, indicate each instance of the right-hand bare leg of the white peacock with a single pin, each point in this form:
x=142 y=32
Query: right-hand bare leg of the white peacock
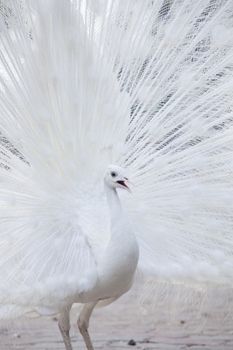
x=83 y=323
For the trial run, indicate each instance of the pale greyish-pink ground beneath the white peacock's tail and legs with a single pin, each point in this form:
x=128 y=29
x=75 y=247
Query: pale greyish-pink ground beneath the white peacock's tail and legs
x=170 y=324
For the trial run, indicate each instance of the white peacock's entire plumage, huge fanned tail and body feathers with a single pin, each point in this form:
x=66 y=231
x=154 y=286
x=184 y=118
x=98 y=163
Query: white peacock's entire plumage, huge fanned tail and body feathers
x=146 y=85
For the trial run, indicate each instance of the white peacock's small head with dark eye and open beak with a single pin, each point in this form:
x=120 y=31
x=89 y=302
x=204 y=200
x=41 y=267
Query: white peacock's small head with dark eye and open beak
x=115 y=177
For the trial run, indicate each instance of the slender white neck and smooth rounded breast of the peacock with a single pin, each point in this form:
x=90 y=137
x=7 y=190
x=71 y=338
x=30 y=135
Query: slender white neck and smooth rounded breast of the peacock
x=121 y=254
